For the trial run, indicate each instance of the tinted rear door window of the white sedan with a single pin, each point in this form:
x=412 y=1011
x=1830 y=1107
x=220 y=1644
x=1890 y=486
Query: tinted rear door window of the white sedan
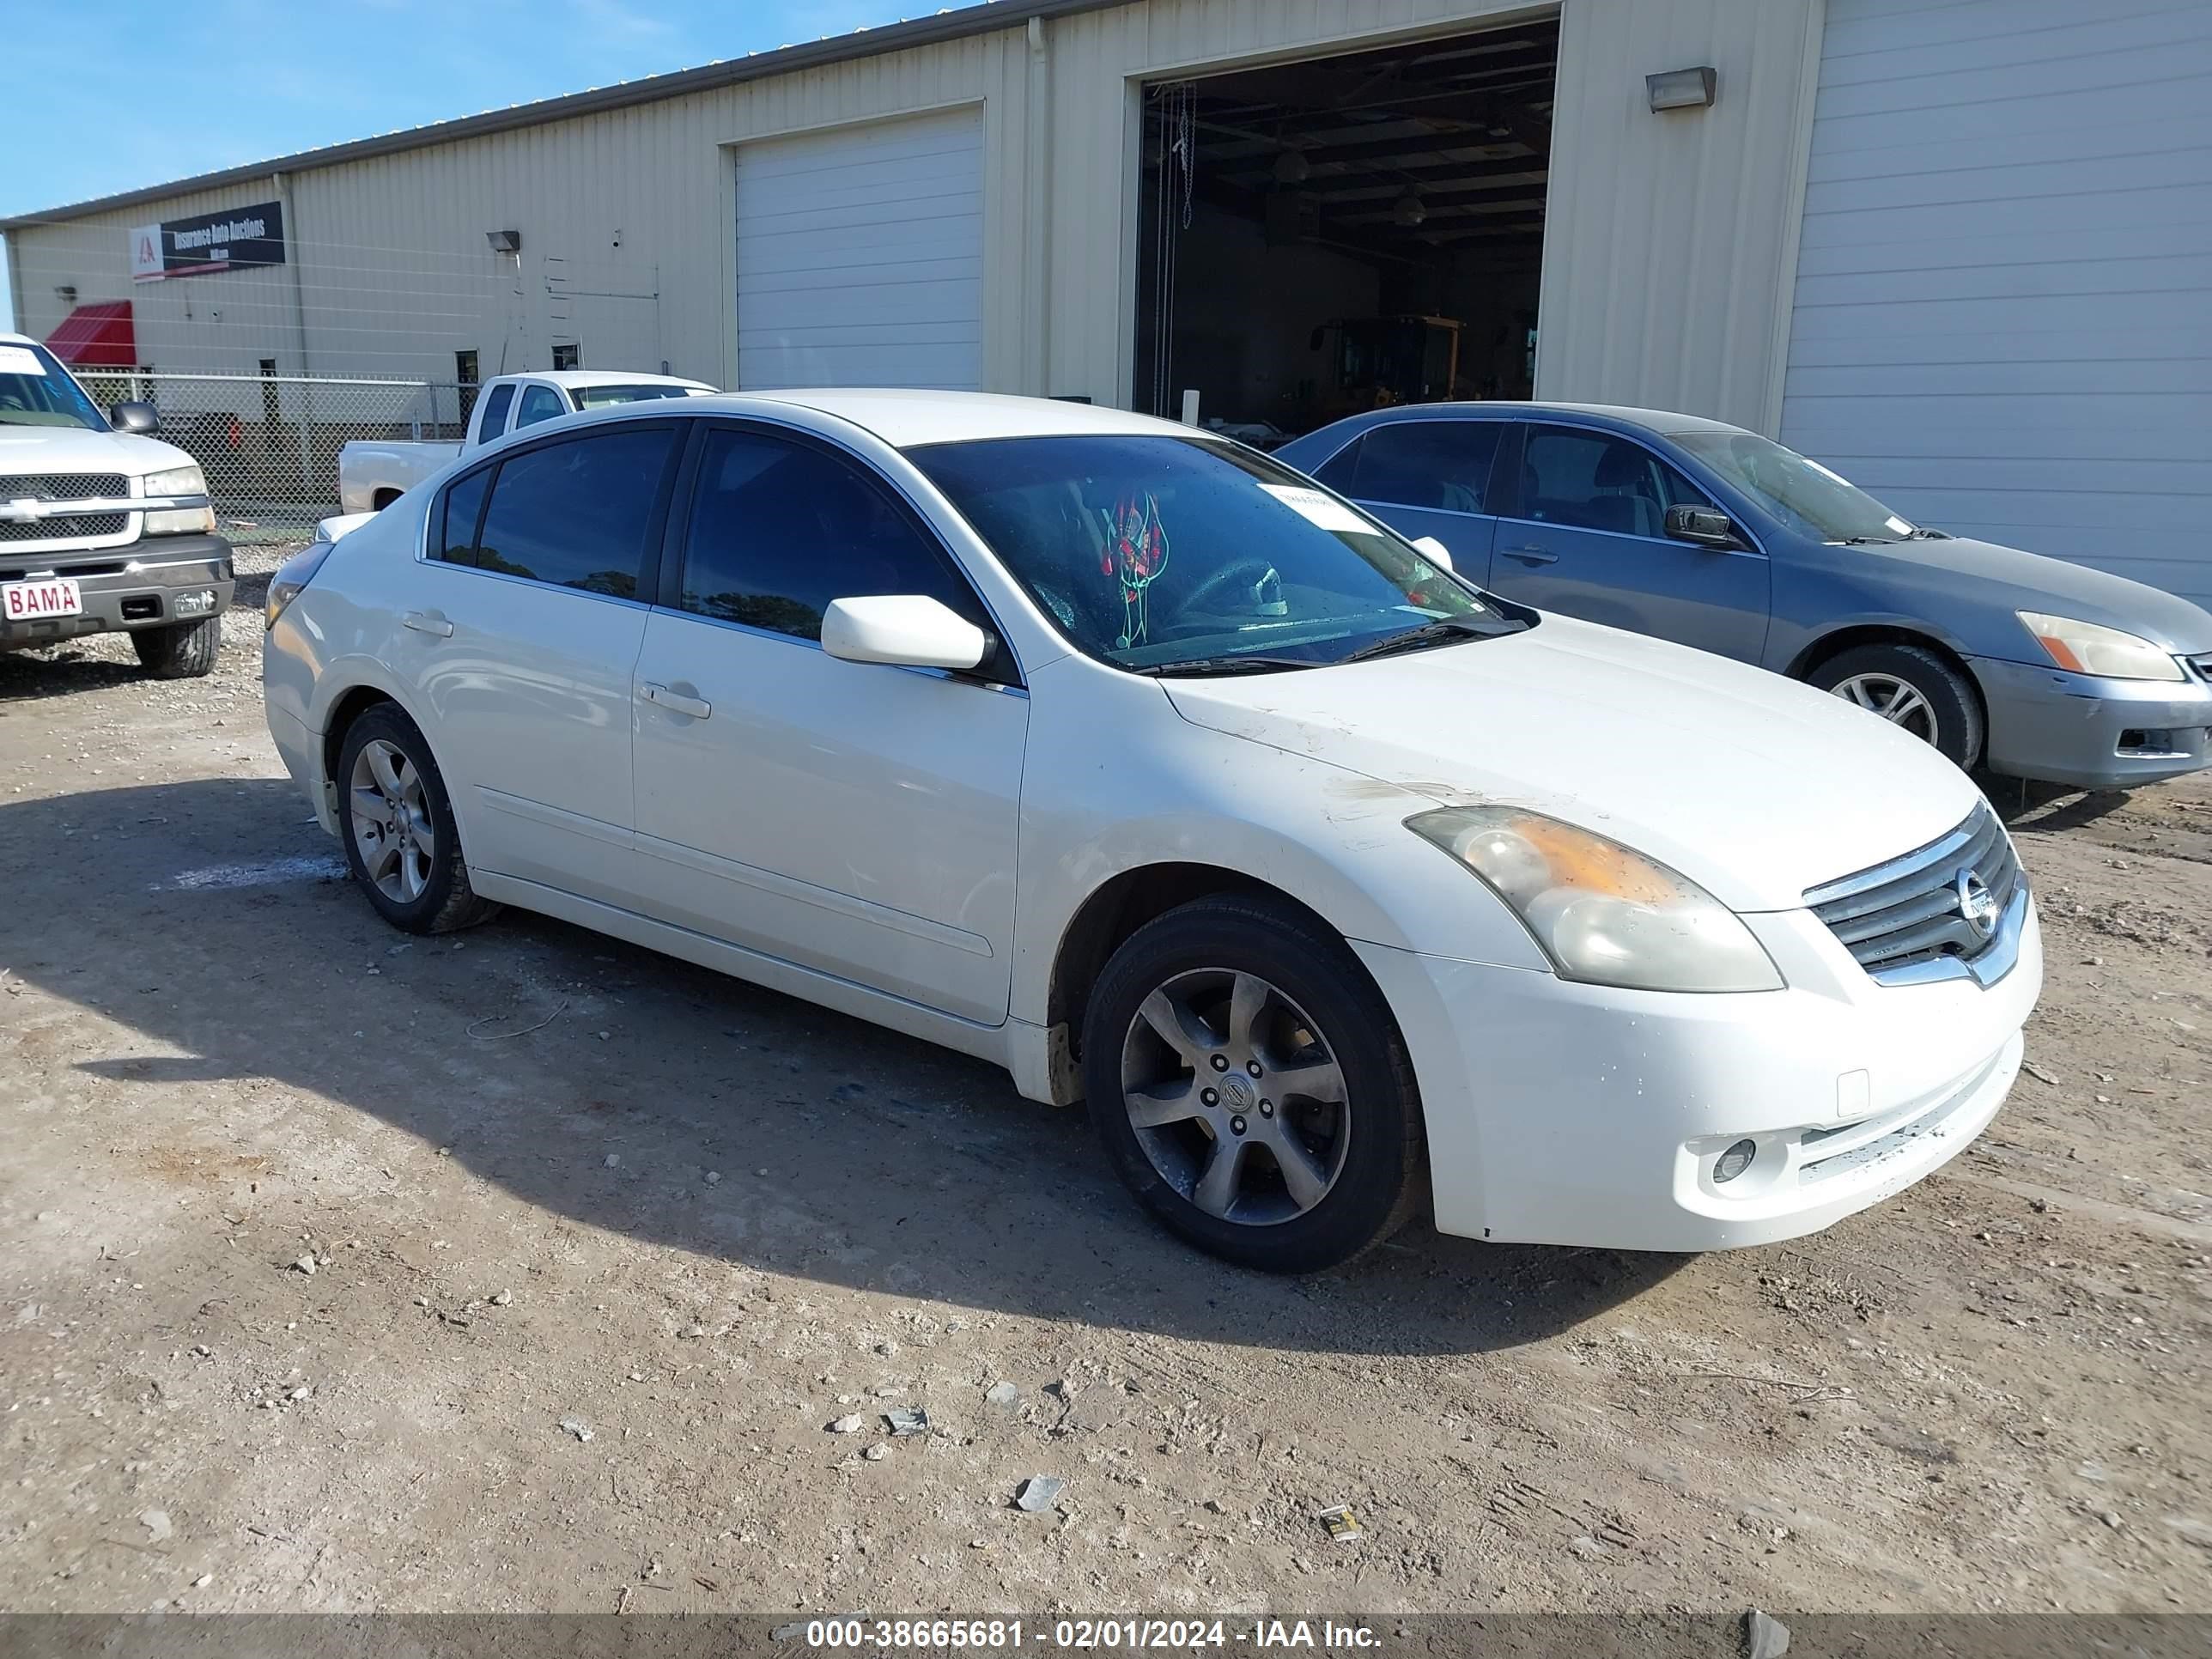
x=578 y=512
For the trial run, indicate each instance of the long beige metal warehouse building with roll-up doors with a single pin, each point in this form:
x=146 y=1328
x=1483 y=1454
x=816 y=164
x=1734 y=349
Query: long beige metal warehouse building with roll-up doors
x=1961 y=251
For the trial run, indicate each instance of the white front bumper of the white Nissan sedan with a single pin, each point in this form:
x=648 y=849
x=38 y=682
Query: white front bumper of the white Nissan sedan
x=1587 y=1116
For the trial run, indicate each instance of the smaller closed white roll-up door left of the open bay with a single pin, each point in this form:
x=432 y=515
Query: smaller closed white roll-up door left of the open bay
x=859 y=255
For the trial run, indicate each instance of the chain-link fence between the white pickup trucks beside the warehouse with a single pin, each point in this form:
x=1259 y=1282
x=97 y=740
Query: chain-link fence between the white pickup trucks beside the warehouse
x=271 y=441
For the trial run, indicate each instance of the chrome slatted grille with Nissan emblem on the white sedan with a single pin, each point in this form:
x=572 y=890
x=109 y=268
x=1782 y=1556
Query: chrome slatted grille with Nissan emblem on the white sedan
x=1906 y=915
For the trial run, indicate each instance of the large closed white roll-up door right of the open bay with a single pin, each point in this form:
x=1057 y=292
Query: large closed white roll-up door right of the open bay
x=2005 y=289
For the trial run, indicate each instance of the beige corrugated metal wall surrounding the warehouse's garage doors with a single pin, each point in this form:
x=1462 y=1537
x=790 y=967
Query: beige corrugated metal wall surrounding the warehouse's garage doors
x=1665 y=271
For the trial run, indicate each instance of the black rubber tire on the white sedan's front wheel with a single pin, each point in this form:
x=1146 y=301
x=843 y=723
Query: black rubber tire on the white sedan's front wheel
x=1379 y=1178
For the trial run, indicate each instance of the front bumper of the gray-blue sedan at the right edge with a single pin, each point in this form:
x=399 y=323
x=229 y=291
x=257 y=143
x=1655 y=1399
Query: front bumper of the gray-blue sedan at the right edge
x=2094 y=733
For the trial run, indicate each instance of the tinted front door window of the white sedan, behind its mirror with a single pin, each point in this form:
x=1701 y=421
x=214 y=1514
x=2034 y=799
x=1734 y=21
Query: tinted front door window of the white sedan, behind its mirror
x=782 y=530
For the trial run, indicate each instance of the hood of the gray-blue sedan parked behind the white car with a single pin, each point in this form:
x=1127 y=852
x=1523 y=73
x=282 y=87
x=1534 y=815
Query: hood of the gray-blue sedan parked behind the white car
x=1985 y=574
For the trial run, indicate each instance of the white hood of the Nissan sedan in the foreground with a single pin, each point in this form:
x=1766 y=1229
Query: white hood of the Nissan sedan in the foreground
x=1744 y=782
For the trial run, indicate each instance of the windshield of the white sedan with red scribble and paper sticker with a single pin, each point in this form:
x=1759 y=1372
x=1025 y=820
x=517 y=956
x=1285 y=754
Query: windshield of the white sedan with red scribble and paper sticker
x=1189 y=556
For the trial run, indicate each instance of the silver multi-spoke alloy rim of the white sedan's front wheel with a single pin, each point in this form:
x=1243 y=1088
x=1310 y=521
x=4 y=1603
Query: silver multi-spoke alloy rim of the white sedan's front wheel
x=1235 y=1098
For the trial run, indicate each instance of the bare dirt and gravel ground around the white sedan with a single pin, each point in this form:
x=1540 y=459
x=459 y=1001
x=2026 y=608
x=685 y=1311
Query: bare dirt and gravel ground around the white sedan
x=603 y=1244
